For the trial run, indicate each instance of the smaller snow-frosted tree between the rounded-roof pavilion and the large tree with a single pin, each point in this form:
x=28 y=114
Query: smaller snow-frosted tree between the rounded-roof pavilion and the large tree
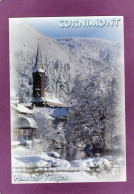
x=49 y=135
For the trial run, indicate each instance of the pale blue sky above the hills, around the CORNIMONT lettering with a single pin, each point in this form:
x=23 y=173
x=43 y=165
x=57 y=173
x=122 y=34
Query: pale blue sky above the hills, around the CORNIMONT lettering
x=50 y=27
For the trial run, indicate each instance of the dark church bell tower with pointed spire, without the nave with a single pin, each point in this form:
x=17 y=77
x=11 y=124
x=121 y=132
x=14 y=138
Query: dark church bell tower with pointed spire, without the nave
x=38 y=74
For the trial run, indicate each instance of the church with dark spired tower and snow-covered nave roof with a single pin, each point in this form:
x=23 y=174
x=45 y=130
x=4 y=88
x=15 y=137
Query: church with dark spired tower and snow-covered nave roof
x=40 y=97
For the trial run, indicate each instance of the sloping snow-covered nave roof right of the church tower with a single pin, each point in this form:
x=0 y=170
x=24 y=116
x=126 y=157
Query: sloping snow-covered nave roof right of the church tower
x=51 y=99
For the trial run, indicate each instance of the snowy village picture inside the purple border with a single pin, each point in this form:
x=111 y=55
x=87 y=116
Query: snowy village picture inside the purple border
x=67 y=99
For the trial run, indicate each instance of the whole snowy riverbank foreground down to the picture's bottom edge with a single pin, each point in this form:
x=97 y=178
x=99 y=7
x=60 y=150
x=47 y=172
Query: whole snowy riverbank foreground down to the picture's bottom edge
x=28 y=162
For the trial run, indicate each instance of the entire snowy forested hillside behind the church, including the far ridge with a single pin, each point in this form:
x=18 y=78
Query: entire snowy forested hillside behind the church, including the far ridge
x=63 y=59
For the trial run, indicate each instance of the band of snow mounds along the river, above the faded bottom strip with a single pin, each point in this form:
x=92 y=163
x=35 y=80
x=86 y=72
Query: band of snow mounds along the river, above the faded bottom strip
x=24 y=156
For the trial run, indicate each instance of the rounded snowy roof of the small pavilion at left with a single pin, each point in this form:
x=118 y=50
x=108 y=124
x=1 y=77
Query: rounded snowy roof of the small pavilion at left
x=24 y=123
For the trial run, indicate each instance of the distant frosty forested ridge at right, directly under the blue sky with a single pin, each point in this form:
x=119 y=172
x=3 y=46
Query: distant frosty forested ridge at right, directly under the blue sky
x=101 y=50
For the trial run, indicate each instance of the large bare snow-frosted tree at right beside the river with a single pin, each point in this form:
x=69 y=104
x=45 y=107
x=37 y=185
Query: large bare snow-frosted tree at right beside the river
x=93 y=119
